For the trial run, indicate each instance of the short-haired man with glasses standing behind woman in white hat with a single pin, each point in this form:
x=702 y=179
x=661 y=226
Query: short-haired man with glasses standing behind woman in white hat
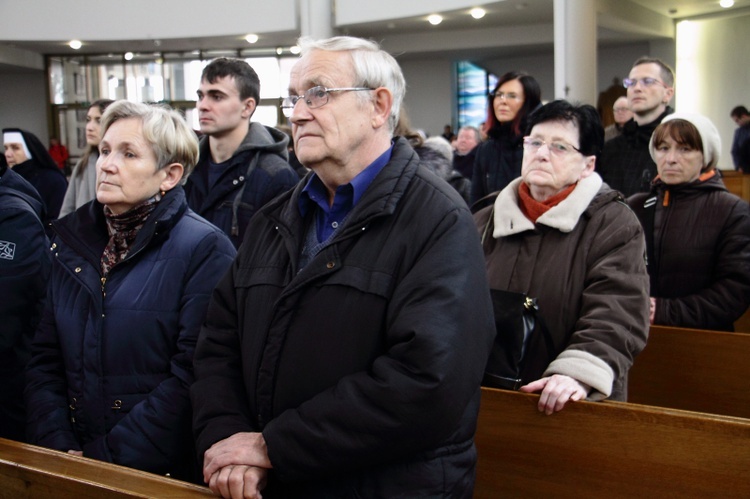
x=626 y=163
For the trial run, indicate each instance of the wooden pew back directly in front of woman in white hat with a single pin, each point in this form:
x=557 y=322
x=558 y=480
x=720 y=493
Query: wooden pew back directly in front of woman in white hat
x=695 y=370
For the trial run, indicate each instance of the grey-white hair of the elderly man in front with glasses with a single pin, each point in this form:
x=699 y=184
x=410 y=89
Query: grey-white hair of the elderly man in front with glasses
x=373 y=66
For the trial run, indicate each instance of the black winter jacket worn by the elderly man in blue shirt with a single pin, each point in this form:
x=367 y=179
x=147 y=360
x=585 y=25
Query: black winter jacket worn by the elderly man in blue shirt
x=363 y=369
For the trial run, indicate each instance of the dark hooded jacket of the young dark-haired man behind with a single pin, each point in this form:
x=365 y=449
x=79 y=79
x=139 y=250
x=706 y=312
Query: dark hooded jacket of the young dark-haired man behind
x=258 y=172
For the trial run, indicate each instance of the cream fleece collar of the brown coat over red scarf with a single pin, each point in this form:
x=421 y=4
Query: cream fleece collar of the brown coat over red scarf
x=509 y=219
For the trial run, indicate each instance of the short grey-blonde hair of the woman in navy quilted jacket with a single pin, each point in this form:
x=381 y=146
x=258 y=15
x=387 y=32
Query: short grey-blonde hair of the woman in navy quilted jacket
x=164 y=128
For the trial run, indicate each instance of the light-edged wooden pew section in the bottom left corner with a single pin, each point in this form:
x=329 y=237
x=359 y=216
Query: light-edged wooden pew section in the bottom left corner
x=30 y=472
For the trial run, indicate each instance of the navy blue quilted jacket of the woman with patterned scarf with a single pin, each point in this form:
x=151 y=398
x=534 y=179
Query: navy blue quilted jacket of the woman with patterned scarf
x=112 y=362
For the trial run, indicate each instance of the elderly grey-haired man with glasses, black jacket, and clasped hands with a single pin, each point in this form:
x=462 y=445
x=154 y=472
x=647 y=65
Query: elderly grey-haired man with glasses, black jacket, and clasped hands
x=343 y=353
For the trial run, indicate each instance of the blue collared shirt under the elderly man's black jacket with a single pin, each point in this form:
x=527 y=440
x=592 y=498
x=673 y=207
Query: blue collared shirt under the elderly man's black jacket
x=328 y=218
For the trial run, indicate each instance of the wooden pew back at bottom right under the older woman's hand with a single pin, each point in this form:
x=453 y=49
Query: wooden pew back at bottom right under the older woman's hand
x=607 y=449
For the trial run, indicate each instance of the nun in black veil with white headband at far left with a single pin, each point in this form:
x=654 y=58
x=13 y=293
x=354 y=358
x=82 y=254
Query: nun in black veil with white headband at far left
x=28 y=157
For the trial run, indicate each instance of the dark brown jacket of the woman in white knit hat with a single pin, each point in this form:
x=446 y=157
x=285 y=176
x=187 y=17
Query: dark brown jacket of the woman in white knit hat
x=699 y=253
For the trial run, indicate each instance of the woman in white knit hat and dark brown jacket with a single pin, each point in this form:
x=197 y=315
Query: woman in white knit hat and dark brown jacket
x=697 y=233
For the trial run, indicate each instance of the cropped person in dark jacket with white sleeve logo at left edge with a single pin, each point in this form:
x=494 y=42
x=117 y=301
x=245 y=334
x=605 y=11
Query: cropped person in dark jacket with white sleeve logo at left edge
x=24 y=270
